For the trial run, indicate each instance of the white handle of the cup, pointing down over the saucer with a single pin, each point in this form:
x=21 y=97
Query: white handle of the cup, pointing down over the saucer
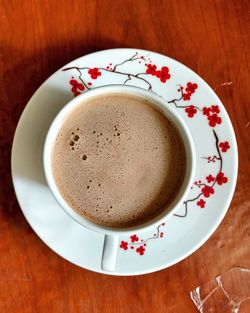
x=109 y=252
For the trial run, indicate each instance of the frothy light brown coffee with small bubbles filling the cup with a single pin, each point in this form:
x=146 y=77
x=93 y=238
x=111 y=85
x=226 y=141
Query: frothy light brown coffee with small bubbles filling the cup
x=118 y=161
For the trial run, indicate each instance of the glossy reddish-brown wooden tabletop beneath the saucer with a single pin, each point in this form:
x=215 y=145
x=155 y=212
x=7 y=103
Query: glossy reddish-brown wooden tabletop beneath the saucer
x=37 y=38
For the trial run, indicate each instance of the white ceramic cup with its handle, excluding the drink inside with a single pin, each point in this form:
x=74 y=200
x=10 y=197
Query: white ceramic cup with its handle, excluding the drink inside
x=112 y=234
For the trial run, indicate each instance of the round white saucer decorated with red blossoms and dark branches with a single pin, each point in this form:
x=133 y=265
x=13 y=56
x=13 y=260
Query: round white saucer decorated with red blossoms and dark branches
x=215 y=146
